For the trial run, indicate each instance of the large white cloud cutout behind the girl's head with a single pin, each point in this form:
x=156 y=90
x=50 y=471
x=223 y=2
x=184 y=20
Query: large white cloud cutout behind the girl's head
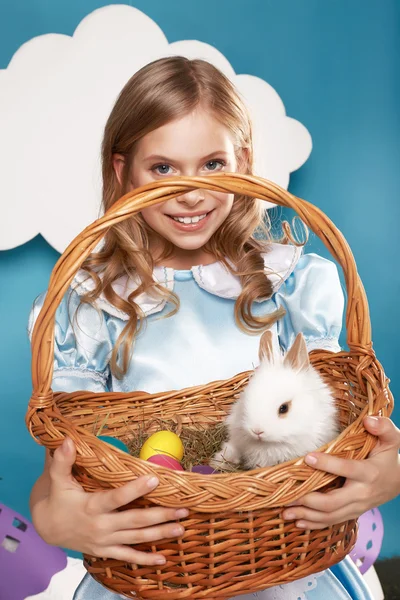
x=55 y=97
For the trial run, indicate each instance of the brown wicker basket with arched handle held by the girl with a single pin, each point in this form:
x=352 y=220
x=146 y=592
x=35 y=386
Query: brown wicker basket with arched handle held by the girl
x=235 y=540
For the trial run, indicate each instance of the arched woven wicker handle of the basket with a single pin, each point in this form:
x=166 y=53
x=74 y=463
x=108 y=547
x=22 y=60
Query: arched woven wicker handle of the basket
x=358 y=325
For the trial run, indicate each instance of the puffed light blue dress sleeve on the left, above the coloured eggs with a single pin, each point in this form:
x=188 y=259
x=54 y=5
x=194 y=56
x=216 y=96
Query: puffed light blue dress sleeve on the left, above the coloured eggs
x=82 y=345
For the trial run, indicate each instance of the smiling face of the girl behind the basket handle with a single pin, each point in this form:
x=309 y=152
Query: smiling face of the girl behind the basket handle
x=195 y=145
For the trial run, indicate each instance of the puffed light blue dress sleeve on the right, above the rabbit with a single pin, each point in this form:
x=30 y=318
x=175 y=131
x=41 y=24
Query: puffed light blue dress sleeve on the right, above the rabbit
x=313 y=299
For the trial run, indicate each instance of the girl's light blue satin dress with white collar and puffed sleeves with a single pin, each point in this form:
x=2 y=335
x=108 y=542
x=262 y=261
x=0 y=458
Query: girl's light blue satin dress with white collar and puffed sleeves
x=199 y=344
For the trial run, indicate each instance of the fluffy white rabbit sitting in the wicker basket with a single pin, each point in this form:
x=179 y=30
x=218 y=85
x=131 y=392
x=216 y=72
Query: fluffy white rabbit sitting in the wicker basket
x=285 y=411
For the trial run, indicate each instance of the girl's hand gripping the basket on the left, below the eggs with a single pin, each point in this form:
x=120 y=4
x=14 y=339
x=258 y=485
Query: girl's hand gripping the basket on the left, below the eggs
x=90 y=523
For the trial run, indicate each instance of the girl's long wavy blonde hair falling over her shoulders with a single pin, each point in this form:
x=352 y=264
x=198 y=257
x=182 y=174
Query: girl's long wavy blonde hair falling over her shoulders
x=161 y=92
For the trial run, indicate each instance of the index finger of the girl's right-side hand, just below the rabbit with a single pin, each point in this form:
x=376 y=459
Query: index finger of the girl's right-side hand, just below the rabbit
x=358 y=470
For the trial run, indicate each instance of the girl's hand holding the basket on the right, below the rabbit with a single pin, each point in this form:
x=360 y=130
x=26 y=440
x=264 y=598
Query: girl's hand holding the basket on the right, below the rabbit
x=369 y=483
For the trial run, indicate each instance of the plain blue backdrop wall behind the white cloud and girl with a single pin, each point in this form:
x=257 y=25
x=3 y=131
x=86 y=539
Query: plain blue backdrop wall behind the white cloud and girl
x=336 y=65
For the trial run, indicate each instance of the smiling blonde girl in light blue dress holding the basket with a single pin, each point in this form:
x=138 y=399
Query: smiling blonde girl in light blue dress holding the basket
x=178 y=296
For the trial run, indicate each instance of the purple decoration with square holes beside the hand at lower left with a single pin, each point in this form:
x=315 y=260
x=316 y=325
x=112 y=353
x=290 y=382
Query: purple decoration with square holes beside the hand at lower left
x=27 y=563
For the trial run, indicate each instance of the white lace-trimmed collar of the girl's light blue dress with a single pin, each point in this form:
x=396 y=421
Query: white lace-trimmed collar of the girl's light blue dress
x=279 y=262
